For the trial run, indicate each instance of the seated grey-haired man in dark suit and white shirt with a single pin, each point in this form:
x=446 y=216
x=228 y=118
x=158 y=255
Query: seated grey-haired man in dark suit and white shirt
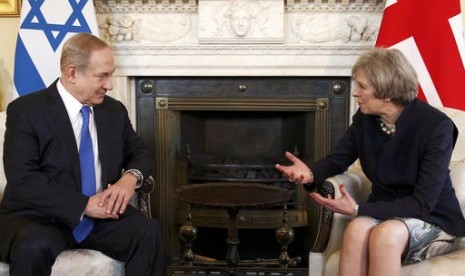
x=43 y=202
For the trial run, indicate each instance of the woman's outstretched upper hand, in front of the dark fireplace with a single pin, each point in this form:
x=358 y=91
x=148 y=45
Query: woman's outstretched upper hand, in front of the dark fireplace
x=298 y=172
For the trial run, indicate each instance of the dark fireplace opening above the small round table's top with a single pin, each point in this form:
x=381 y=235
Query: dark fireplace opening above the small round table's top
x=232 y=146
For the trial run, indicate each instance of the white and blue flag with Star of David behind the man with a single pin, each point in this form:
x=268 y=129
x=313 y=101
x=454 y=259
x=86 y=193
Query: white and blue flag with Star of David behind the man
x=44 y=26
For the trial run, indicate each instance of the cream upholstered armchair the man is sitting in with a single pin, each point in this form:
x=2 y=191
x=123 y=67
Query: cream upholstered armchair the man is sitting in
x=78 y=262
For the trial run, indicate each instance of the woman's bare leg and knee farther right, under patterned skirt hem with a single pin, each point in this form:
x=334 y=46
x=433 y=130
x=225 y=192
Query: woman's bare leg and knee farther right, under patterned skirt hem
x=387 y=243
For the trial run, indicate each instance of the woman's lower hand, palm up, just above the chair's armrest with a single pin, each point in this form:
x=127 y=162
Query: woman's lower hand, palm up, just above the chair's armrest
x=344 y=205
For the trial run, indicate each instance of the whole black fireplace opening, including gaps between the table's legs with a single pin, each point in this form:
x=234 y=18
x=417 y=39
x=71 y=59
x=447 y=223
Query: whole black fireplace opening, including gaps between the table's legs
x=244 y=146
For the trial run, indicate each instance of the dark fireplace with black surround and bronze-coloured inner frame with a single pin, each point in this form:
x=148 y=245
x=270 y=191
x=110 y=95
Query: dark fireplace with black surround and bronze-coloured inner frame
x=227 y=129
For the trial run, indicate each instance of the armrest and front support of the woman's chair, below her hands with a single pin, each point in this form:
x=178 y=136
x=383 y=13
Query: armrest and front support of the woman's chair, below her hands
x=330 y=225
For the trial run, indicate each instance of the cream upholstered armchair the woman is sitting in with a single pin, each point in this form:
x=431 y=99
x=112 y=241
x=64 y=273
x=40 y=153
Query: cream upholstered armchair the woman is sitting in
x=324 y=255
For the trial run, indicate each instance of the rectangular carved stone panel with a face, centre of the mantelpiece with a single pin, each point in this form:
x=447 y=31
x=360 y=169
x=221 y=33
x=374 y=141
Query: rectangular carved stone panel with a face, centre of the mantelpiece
x=241 y=21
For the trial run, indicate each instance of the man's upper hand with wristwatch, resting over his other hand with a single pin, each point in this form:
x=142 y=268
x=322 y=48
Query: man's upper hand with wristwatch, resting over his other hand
x=116 y=197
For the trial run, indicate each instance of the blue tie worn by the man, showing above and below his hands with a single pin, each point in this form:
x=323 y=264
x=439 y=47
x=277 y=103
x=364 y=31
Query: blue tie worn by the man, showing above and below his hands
x=86 y=157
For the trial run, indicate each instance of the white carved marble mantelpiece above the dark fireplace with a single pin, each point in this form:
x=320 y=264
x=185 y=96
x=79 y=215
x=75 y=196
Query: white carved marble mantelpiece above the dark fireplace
x=197 y=38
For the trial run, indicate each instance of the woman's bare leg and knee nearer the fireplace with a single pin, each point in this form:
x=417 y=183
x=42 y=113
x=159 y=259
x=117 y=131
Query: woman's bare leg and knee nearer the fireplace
x=354 y=251
